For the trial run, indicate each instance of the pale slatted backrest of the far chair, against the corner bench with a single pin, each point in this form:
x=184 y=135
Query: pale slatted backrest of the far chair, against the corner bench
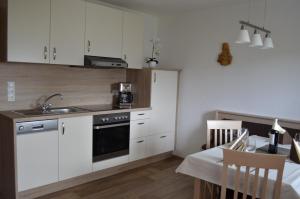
x=222 y=129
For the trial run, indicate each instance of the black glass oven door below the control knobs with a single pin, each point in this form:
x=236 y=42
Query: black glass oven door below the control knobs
x=110 y=141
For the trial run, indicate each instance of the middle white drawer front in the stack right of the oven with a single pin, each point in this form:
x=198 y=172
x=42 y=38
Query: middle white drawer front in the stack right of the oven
x=139 y=128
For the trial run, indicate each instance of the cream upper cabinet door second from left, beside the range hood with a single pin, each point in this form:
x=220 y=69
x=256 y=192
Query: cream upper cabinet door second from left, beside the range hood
x=67 y=32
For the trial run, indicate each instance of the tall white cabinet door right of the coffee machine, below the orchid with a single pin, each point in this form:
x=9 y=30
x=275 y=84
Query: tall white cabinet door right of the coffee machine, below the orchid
x=163 y=101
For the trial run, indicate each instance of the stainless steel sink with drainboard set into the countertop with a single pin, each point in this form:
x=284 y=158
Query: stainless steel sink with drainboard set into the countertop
x=52 y=111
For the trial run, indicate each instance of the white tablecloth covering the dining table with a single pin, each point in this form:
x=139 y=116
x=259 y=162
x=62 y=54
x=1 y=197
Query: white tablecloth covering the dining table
x=207 y=165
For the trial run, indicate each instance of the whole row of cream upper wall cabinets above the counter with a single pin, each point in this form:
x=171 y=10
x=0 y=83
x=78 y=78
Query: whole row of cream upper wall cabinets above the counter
x=63 y=31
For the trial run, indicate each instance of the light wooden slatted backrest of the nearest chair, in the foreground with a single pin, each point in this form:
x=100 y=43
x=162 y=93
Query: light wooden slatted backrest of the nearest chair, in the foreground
x=257 y=161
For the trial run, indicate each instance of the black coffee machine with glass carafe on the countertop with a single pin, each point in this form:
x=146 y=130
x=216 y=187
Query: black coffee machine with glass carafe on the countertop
x=125 y=97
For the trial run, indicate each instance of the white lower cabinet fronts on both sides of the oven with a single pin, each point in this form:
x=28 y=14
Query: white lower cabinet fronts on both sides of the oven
x=59 y=155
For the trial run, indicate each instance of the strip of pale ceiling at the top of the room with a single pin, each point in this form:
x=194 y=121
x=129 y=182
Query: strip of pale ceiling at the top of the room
x=170 y=6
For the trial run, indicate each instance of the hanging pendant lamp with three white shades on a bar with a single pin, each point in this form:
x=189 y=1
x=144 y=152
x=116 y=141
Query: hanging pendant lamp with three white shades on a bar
x=256 y=41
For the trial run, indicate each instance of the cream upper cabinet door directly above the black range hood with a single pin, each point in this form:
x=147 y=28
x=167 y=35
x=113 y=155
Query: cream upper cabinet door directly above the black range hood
x=103 y=31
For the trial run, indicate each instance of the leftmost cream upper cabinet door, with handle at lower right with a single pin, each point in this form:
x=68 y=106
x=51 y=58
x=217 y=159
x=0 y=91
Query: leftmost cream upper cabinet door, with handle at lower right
x=28 y=31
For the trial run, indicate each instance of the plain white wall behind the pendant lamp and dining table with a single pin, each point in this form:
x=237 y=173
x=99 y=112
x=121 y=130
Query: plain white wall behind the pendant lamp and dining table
x=263 y=82
